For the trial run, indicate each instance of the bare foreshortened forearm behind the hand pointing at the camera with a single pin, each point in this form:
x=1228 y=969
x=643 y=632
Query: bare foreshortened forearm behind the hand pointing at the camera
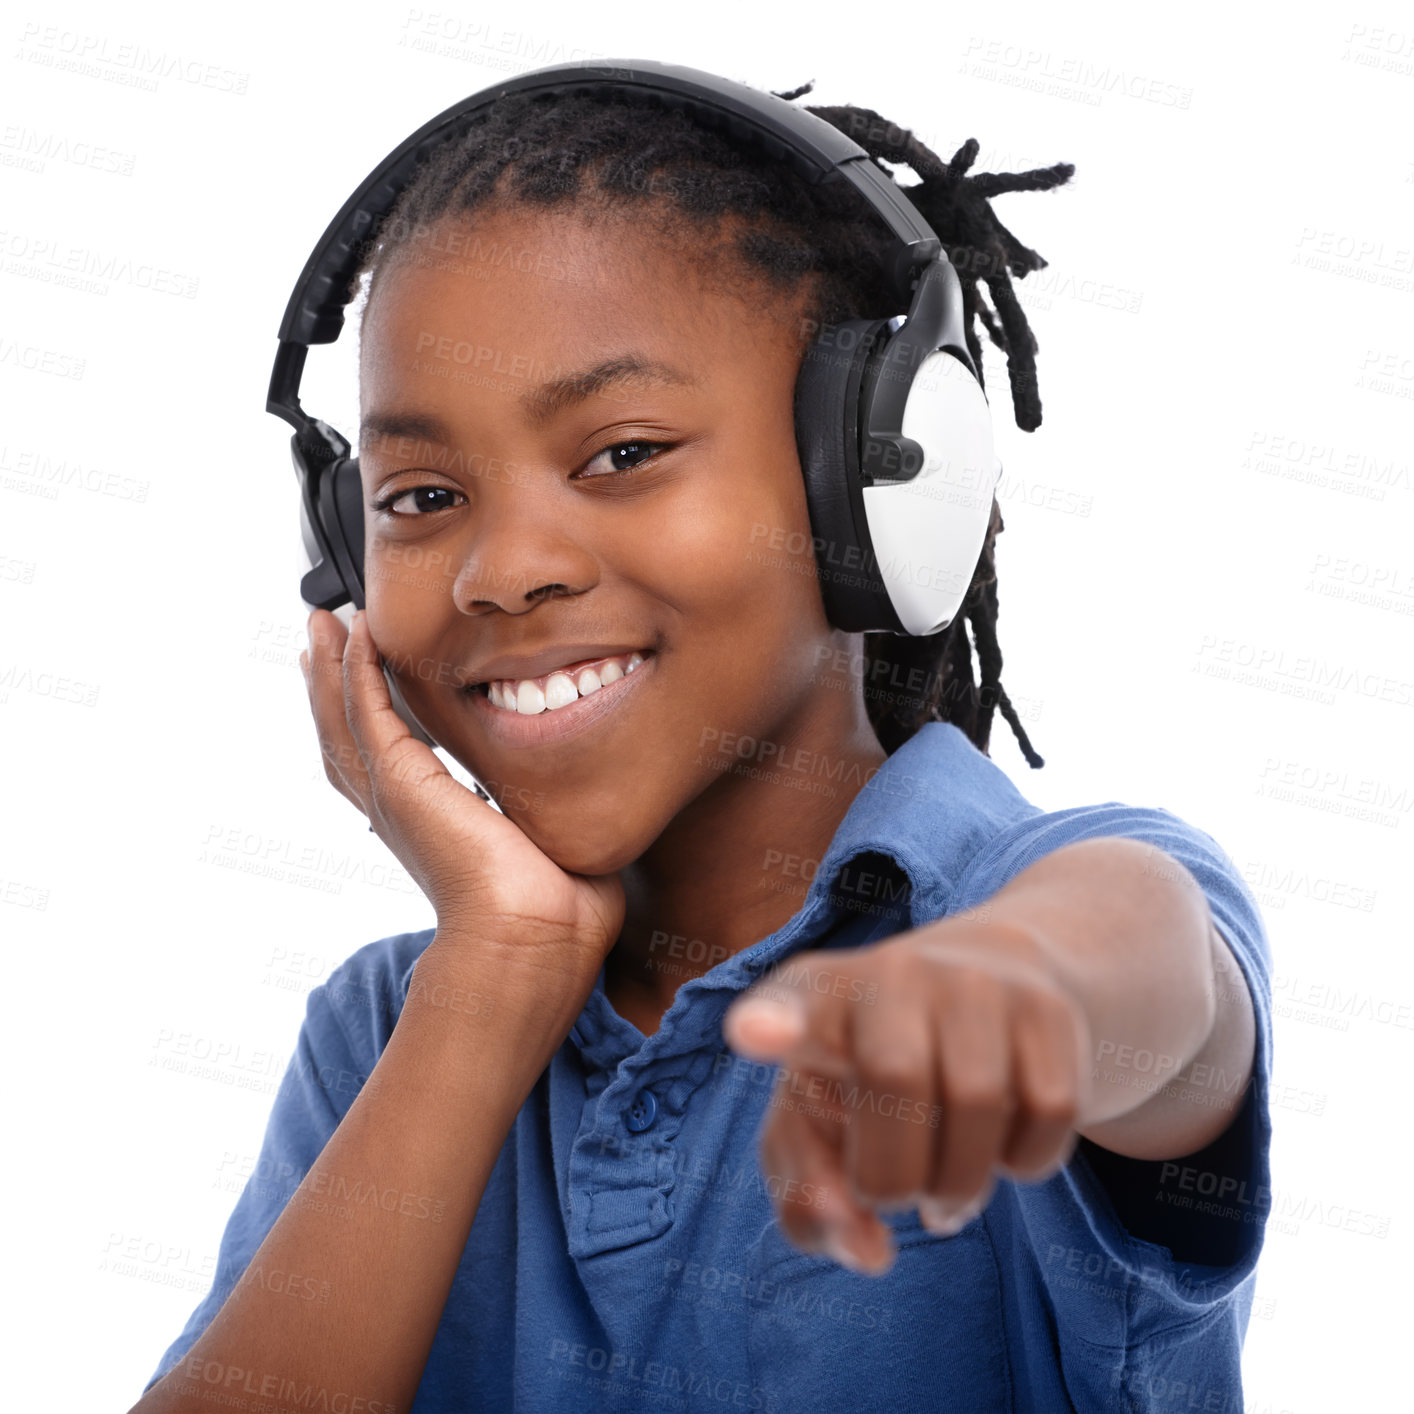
x=1128 y=933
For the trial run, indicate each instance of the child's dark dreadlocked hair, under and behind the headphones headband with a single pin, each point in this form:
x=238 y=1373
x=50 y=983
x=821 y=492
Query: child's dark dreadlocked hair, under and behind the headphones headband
x=623 y=151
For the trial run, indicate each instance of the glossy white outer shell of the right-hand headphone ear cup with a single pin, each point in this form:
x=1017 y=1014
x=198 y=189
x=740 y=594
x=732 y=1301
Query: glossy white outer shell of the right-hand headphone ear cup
x=928 y=532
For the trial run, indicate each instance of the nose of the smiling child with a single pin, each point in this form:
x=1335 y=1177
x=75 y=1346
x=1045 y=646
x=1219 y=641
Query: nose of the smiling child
x=521 y=549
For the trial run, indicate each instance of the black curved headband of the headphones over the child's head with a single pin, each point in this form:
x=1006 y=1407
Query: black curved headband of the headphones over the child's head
x=812 y=148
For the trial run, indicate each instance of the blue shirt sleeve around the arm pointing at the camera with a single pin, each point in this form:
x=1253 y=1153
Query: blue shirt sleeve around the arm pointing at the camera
x=1130 y=1249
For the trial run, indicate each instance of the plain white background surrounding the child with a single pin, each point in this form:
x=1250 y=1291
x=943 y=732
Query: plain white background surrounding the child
x=1193 y=537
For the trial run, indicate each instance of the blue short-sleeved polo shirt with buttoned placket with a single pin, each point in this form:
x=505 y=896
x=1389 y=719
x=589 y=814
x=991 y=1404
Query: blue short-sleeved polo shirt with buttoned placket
x=626 y=1254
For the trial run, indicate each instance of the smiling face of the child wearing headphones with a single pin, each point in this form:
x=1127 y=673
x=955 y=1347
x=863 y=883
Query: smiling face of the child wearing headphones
x=702 y=554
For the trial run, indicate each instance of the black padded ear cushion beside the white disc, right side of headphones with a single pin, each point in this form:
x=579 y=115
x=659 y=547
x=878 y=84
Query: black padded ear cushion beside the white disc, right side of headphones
x=826 y=425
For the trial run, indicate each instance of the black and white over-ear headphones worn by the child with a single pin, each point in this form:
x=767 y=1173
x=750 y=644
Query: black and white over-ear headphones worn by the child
x=893 y=426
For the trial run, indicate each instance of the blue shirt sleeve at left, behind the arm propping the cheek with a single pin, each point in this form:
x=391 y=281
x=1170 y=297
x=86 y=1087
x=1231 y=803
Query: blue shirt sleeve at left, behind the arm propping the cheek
x=319 y=1087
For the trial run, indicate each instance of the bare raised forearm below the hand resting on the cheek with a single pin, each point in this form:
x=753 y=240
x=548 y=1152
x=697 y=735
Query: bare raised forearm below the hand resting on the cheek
x=371 y=1278
